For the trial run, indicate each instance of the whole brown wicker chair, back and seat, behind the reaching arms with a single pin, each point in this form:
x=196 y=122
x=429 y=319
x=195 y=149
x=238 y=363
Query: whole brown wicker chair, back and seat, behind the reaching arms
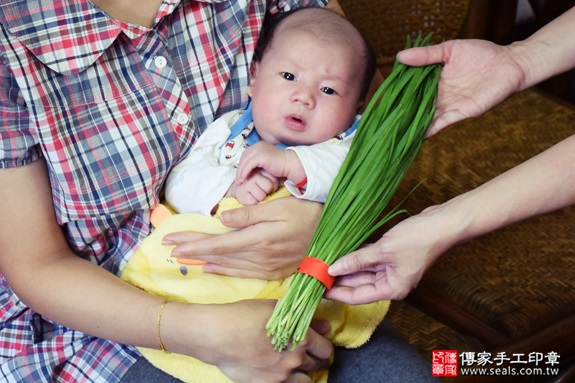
x=512 y=290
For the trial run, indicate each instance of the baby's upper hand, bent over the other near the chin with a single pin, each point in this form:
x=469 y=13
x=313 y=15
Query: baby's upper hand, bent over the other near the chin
x=265 y=156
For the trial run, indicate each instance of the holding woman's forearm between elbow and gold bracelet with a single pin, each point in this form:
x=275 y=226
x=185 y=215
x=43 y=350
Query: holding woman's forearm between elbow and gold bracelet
x=83 y=296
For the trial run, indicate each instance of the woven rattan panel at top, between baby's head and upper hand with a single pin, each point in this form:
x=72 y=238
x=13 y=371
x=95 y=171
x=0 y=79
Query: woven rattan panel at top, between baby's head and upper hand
x=386 y=24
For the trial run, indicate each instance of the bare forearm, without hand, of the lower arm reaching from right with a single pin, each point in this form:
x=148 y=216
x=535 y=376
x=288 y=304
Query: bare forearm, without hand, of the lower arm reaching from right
x=542 y=184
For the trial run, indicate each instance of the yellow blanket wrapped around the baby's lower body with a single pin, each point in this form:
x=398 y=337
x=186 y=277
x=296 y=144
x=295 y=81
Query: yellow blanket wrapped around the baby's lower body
x=153 y=269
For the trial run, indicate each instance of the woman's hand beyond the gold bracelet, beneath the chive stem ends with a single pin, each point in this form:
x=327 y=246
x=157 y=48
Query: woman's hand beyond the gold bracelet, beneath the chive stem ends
x=234 y=339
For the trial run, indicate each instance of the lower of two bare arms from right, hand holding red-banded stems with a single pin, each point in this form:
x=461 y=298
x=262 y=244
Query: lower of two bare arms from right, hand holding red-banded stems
x=394 y=265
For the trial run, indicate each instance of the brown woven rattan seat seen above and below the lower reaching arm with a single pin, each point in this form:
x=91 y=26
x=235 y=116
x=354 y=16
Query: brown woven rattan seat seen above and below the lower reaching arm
x=520 y=279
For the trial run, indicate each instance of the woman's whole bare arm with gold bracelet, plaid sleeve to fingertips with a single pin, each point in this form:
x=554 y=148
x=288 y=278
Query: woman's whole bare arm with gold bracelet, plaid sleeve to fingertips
x=83 y=296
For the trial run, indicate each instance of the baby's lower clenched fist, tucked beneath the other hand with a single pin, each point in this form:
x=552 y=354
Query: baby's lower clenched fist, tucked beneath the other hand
x=255 y=188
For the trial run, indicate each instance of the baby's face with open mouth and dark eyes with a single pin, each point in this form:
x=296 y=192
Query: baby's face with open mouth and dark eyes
x=305 y=90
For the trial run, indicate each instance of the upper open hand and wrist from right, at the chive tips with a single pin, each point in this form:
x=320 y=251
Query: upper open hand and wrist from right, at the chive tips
x=479 y=74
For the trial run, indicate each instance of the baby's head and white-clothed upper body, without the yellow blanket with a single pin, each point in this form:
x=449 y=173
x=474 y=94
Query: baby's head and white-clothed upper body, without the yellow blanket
x=308 y=83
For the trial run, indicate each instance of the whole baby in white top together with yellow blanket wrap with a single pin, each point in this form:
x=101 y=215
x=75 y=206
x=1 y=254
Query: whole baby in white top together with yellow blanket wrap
x=310 y=76
